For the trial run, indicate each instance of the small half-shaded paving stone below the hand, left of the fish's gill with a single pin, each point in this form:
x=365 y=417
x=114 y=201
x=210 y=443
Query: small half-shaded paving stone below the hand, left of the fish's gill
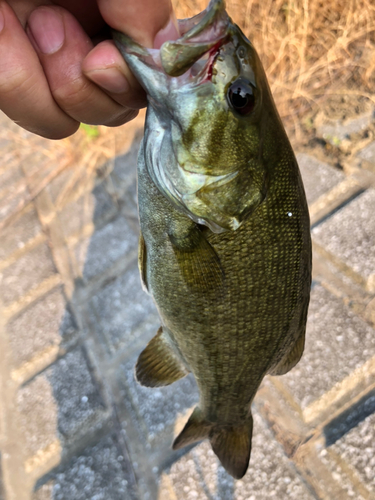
x=90 y=207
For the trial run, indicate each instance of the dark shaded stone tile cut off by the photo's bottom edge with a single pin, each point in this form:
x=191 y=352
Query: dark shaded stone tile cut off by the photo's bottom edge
x=101 y=472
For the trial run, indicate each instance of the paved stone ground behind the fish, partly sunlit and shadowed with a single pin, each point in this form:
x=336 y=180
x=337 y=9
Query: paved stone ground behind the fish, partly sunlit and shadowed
x=74 y=424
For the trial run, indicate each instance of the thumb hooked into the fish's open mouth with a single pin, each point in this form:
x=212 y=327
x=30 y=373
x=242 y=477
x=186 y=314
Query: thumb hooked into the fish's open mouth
x=149 y=22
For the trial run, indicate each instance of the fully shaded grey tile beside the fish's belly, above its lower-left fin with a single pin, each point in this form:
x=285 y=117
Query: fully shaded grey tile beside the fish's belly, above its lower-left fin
x=118 y=309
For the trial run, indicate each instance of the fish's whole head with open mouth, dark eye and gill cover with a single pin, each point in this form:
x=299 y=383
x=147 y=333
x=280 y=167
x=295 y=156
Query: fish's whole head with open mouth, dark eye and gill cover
x=202 y=145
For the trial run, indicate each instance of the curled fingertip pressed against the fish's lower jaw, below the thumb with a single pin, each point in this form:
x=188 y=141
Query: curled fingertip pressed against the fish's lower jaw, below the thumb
x=105 y=66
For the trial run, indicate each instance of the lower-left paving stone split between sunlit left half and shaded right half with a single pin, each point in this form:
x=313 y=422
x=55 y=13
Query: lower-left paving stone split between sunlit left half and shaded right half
x=59 y=401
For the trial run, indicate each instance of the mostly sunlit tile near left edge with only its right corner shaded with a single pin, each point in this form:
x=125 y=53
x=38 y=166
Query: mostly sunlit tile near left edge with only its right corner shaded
x=43 y=324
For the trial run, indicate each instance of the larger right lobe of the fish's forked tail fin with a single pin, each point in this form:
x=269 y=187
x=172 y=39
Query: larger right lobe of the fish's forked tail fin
x=232 y=445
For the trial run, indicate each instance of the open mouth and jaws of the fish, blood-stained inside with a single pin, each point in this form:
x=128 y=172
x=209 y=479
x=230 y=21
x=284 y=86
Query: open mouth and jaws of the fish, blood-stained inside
x=189 y=58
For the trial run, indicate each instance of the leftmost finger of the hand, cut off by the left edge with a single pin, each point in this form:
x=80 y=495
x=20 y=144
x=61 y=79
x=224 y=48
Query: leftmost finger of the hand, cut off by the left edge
x=24 y=92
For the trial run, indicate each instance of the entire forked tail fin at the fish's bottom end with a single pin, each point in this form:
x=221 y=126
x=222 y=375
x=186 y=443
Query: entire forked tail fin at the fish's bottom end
x=231 y=444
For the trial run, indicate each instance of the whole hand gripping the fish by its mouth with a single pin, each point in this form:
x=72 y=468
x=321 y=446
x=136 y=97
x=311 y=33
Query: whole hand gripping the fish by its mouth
x=58 y=66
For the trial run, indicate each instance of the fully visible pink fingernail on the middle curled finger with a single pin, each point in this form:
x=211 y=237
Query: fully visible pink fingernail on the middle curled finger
x=47 y=28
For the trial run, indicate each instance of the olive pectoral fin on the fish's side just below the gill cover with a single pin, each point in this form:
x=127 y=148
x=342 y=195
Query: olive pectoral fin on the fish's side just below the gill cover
x=198 y=261
